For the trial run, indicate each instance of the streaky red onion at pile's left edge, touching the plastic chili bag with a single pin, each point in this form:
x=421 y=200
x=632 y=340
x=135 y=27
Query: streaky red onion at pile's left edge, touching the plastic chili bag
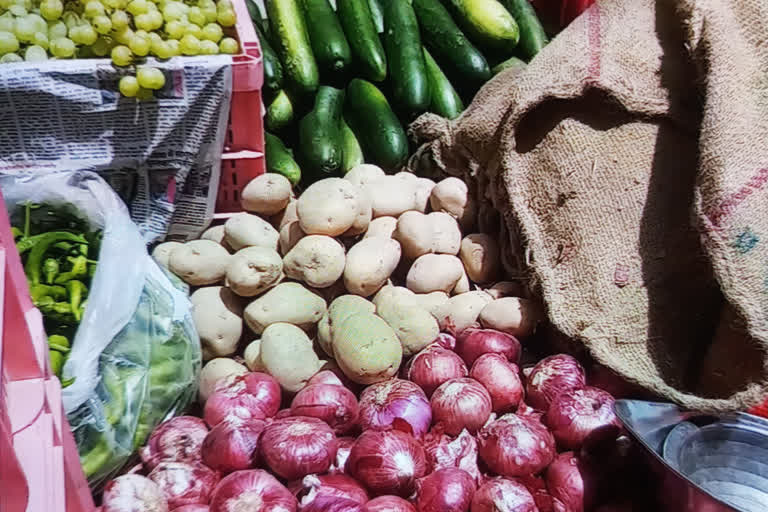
x=176 y=440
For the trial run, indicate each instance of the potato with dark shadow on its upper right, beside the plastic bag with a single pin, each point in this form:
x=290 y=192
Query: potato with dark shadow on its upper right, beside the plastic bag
x=218 y=317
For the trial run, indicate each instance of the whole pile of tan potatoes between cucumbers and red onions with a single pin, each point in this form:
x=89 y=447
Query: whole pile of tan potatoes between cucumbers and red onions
x=365 y=270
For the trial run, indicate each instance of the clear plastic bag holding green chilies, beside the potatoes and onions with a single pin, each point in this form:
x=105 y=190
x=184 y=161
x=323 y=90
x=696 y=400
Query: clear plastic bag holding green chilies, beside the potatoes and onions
x=136 y=355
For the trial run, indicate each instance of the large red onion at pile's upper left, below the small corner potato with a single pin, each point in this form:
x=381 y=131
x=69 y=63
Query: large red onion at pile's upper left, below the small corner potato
x=253 y=395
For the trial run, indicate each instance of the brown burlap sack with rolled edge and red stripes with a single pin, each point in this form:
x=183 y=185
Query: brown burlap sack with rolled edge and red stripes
x=629 y=164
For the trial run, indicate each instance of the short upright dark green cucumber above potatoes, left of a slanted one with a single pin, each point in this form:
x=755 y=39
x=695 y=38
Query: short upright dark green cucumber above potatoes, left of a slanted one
x=320 y=134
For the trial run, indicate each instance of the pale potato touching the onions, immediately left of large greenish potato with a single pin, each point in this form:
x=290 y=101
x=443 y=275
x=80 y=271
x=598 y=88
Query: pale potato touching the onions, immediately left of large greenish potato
x=286 y=353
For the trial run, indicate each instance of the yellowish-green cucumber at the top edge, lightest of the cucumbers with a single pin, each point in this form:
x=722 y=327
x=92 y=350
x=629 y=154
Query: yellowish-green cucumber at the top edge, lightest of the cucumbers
x=487 y=22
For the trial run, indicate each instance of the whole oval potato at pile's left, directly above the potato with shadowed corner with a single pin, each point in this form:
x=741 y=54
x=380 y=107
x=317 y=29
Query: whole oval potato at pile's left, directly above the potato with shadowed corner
x=199 y=262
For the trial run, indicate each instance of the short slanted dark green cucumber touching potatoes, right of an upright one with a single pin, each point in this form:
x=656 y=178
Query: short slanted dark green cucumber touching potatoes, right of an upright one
x=375 y=124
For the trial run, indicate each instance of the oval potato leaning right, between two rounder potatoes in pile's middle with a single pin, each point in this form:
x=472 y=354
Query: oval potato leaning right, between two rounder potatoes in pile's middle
x=369 y=264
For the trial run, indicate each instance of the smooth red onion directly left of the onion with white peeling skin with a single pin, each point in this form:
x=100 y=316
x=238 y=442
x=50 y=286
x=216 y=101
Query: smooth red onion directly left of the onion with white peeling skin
x=332 y=403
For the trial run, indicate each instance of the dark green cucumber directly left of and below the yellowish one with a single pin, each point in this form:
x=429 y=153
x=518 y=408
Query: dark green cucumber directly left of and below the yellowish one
x=459 y=57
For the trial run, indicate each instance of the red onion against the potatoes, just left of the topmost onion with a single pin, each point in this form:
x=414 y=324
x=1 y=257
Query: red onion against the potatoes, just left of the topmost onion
x=433 y=366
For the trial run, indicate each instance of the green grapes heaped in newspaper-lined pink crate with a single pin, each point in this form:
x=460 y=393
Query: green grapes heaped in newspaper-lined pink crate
x=125 y=30
